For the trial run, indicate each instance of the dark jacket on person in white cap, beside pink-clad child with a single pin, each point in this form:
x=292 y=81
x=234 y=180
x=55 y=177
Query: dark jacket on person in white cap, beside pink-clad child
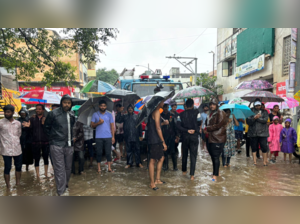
x=258 y=127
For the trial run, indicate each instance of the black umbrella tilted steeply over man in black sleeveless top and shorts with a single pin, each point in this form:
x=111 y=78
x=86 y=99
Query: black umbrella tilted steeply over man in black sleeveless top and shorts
x=152 y=104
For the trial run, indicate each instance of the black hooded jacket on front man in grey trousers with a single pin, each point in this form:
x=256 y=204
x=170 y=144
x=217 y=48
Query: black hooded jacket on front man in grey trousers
x=56 y=125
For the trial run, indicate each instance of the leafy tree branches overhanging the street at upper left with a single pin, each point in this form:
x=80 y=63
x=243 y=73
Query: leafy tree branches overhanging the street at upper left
x=34 y=50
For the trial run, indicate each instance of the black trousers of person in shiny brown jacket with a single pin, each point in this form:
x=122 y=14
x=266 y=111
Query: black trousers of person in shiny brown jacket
x=215 y=150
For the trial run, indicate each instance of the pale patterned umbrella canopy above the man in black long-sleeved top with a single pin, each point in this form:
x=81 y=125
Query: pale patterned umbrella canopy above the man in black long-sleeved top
x=192 y=92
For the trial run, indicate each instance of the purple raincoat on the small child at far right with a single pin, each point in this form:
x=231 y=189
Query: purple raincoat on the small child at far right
x=288 y=138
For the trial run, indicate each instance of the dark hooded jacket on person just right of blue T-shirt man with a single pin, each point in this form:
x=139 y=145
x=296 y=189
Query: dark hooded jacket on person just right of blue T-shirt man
x=131 y=133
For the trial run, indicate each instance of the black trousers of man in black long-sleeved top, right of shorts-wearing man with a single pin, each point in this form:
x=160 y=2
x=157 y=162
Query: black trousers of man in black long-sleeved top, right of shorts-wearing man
x=189 y=142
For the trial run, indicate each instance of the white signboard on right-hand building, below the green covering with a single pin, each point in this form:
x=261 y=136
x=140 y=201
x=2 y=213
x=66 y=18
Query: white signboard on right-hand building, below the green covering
x=255 y=65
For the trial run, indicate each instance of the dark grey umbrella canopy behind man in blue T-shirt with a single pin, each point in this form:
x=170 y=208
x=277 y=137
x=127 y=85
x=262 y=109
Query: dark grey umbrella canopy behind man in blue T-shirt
x=91 y=106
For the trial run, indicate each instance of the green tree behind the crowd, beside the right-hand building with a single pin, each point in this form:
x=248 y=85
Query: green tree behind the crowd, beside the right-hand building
x=208 y=82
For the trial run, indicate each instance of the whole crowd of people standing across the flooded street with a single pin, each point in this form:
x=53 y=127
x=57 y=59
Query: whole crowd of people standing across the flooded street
x=62 y=138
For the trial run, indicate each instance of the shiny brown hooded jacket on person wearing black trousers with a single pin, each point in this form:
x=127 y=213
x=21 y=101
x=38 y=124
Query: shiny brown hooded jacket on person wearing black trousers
x=216 y=124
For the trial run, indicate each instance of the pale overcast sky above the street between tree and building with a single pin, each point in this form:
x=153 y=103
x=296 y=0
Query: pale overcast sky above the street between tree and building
x=142 y=46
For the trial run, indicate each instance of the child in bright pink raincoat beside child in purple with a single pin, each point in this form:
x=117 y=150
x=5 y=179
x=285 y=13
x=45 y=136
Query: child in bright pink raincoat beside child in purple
x=274 y=139
